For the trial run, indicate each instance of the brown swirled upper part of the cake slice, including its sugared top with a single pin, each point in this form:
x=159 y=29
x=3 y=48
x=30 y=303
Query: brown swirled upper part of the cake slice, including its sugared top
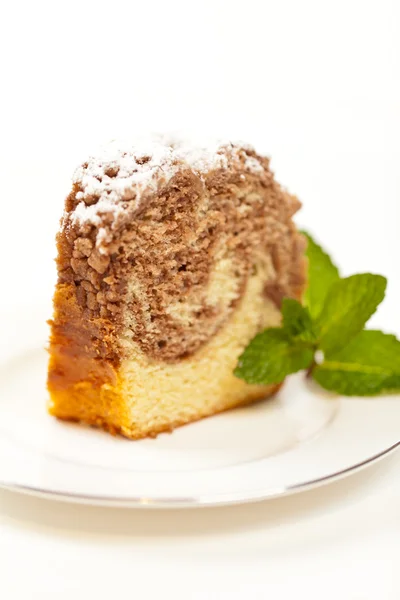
x=159 y=241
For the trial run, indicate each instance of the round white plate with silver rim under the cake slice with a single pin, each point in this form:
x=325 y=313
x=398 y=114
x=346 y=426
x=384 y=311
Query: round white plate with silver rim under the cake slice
x=302 y=438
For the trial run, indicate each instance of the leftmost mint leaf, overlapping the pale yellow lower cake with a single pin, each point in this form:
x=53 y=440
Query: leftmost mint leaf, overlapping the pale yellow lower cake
x=271 y=356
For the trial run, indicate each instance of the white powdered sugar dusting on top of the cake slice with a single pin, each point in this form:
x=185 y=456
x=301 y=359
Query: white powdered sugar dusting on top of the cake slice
x=121 y=172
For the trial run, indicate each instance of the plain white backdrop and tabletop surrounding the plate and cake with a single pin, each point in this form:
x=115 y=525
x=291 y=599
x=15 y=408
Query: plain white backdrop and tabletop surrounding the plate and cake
x=314 y=84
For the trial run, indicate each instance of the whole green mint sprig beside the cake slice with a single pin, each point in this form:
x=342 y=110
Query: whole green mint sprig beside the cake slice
x=356 y=361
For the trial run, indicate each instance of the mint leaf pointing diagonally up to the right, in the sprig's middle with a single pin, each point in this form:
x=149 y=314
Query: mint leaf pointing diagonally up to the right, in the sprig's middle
x=349 y=304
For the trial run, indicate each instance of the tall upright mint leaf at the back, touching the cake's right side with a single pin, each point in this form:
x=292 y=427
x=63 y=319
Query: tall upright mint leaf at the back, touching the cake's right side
x=322 y=273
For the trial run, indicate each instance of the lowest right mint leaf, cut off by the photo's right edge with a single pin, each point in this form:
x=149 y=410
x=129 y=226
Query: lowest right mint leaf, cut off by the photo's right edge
x=369 y=365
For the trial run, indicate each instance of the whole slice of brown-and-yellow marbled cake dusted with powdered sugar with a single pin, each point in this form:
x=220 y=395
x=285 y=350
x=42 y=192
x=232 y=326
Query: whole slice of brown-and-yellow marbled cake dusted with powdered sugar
x=171 y=257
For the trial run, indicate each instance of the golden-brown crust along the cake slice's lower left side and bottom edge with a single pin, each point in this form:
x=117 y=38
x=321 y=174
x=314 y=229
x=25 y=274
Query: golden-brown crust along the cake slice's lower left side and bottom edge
x=87 y=389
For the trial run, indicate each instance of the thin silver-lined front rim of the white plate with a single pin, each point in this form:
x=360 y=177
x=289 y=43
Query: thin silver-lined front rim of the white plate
x=214 y=500
